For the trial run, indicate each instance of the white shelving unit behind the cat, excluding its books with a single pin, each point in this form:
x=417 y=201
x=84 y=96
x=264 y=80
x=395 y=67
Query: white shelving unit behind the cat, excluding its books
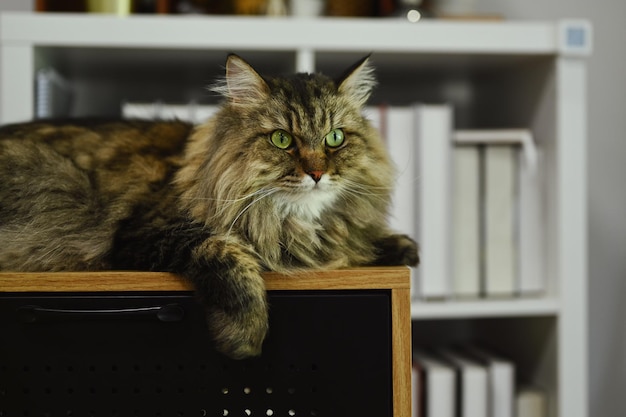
x=515 y=74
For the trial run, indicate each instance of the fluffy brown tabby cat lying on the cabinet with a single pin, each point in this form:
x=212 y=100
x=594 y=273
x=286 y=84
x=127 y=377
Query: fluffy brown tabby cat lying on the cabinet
x=288 y=175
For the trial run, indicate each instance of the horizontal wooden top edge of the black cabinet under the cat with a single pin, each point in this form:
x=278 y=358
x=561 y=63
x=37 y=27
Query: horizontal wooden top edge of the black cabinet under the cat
x=111 y=281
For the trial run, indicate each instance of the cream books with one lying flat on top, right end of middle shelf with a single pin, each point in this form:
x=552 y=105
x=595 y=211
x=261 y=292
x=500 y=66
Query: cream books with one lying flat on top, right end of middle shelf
x=497 y=242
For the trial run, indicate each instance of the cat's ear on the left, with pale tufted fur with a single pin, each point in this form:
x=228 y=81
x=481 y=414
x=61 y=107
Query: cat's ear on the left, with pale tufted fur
x=242 y=84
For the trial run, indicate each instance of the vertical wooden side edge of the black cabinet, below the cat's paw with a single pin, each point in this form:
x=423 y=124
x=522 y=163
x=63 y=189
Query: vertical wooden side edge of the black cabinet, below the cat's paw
x=401 y=351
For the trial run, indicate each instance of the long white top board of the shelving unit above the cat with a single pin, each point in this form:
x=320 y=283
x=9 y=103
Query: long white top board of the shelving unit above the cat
x=280 y=33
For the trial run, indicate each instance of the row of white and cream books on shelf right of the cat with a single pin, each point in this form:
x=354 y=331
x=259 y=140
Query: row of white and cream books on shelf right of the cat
x=471 y=198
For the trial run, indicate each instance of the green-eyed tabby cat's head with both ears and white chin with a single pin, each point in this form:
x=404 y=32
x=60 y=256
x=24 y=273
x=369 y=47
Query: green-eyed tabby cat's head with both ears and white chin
x=298 y=141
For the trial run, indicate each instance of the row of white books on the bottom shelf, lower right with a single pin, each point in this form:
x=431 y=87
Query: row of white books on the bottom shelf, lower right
x=470 y=382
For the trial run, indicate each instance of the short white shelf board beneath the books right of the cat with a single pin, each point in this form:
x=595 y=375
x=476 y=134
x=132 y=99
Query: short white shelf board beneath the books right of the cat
x=484 y=308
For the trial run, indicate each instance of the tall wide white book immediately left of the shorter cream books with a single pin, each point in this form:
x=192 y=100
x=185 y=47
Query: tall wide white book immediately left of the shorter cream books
x=433 y=138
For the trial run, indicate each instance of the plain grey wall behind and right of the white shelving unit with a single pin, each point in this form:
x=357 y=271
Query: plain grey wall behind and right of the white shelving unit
x=606 y=183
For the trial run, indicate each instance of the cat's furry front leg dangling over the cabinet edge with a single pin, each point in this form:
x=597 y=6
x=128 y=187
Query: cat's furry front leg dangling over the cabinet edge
x=224 y=271
